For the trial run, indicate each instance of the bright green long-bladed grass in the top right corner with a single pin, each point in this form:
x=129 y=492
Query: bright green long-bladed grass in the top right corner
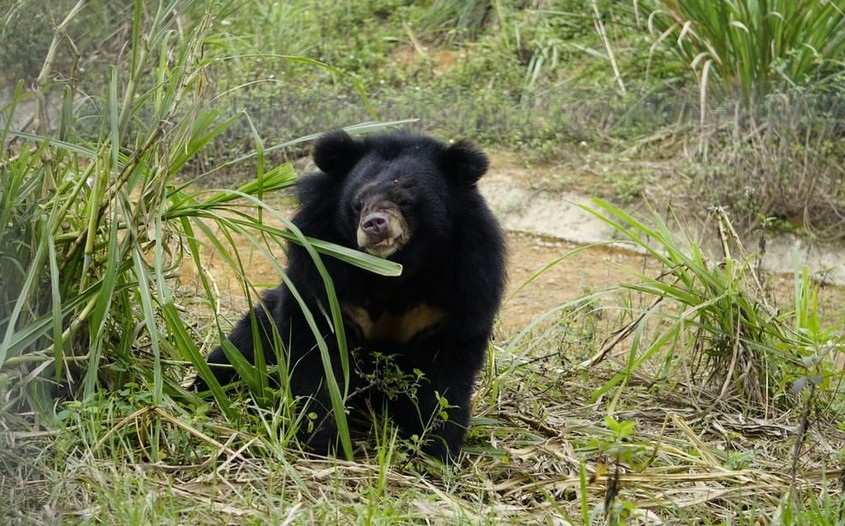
x=746 y=50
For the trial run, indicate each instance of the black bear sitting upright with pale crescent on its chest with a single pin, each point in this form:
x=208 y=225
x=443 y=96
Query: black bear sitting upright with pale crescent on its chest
x=413 y=200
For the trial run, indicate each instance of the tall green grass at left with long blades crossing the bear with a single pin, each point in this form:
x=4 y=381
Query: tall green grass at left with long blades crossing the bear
x=94 y=232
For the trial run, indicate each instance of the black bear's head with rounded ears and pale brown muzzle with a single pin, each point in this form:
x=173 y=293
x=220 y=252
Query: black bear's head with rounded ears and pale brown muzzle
x=395 y=188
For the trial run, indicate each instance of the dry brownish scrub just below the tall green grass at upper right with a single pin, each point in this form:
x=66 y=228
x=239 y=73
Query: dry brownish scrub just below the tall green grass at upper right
x=784 y=173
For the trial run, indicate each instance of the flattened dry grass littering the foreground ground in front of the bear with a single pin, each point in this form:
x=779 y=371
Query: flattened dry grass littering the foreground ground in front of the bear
x=686 y=464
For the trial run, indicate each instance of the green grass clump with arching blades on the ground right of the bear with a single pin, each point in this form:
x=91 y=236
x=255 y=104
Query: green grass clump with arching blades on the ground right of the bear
x=710 y=325
